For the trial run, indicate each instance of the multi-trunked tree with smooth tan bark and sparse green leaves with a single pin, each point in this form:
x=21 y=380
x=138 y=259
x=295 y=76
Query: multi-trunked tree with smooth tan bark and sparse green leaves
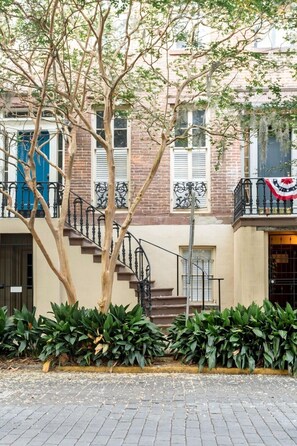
x=71 y=57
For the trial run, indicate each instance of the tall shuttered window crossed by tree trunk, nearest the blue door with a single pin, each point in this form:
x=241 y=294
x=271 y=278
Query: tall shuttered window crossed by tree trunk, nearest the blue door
x=120 y=142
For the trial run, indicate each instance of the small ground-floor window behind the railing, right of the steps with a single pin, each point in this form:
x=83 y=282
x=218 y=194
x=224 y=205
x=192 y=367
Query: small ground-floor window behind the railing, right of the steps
x=202 y=262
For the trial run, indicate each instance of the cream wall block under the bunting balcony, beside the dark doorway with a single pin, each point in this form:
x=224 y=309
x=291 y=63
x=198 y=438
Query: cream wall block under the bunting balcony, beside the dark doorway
x=250 y=265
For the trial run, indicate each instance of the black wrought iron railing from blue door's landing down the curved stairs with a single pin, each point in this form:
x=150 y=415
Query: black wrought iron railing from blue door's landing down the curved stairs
x=87 y=220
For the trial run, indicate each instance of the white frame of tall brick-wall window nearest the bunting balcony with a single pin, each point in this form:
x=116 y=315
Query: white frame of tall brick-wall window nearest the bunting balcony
x=189 y=149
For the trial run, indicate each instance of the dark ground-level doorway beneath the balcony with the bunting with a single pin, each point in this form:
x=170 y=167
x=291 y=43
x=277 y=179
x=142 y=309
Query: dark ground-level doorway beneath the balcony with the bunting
x=283 y=269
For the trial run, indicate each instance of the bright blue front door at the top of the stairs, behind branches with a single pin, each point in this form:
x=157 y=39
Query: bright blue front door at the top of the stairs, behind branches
x=24 y=197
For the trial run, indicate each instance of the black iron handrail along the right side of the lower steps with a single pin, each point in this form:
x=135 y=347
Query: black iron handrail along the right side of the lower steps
x=202 y=284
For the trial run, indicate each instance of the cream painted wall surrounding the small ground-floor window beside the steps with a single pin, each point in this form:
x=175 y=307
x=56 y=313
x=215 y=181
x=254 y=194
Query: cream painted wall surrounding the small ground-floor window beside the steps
x=209 y=232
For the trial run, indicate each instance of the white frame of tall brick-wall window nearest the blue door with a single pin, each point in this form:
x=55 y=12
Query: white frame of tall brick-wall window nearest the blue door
x=94 y=159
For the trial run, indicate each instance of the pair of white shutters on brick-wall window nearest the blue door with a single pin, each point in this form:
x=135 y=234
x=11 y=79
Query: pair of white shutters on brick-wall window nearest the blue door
x=120 y=159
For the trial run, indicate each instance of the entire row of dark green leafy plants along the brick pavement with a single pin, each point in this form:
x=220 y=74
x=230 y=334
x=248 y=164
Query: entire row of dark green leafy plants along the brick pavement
x=241 y=337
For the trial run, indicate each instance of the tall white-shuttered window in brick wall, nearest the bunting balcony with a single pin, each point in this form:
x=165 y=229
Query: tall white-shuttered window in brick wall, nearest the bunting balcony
x=189 y=160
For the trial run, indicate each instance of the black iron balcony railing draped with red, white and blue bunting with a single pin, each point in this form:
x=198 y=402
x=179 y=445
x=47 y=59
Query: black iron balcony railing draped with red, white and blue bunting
x=253 y=197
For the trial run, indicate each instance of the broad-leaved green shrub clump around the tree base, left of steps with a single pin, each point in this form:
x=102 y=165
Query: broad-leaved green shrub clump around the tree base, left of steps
x=89 y=337
